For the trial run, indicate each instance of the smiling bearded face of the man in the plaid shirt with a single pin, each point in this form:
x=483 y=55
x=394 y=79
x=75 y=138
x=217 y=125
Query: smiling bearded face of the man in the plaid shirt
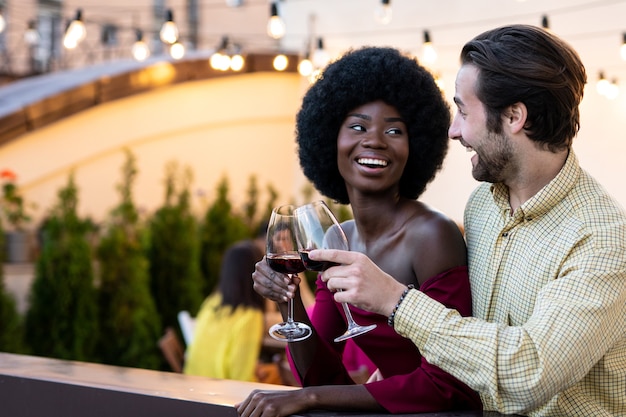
x=493 y=152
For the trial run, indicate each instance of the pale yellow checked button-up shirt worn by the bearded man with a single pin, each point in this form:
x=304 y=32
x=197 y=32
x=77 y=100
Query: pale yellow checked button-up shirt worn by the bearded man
x=549 y=300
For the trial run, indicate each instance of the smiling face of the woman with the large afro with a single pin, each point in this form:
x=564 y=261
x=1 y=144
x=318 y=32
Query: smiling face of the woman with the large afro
x=372 y=148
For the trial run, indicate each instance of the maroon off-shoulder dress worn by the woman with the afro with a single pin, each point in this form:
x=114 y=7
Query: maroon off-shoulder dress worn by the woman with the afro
x=410 y=384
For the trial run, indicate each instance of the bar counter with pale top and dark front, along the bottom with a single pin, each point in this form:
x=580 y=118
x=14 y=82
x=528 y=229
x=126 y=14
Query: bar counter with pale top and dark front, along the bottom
x=33 y=386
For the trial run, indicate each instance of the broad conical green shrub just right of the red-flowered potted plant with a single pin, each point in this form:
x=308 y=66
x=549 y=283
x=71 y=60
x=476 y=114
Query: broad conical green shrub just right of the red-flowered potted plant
x=62 y=318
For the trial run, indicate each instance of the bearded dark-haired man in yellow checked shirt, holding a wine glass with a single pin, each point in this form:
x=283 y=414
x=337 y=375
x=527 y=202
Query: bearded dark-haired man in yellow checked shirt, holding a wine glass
x=546 y=244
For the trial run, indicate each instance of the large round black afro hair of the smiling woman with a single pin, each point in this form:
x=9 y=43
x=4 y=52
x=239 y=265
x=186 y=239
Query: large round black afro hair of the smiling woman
x=359 y=77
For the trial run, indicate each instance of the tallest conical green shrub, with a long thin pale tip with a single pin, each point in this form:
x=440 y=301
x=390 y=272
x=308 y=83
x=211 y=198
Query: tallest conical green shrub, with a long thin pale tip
x=129 y=323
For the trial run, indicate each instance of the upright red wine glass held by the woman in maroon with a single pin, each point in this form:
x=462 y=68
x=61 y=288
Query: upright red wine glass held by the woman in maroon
x=282 y=256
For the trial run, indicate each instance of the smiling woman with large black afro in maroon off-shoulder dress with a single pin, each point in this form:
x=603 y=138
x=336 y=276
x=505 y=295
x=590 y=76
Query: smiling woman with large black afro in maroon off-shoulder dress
x=372 y=132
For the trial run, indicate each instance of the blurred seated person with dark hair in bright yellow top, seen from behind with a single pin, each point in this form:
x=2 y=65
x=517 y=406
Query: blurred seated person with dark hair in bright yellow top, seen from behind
x=230 y=325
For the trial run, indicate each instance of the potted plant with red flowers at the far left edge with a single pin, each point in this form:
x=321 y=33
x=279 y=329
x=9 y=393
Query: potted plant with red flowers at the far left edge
x=16 y=218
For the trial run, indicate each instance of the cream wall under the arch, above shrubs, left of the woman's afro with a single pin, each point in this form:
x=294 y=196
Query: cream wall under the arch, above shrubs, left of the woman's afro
x=232 y=126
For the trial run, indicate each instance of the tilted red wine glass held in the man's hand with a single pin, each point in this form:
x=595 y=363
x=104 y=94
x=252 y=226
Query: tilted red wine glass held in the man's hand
x=317 y=227
